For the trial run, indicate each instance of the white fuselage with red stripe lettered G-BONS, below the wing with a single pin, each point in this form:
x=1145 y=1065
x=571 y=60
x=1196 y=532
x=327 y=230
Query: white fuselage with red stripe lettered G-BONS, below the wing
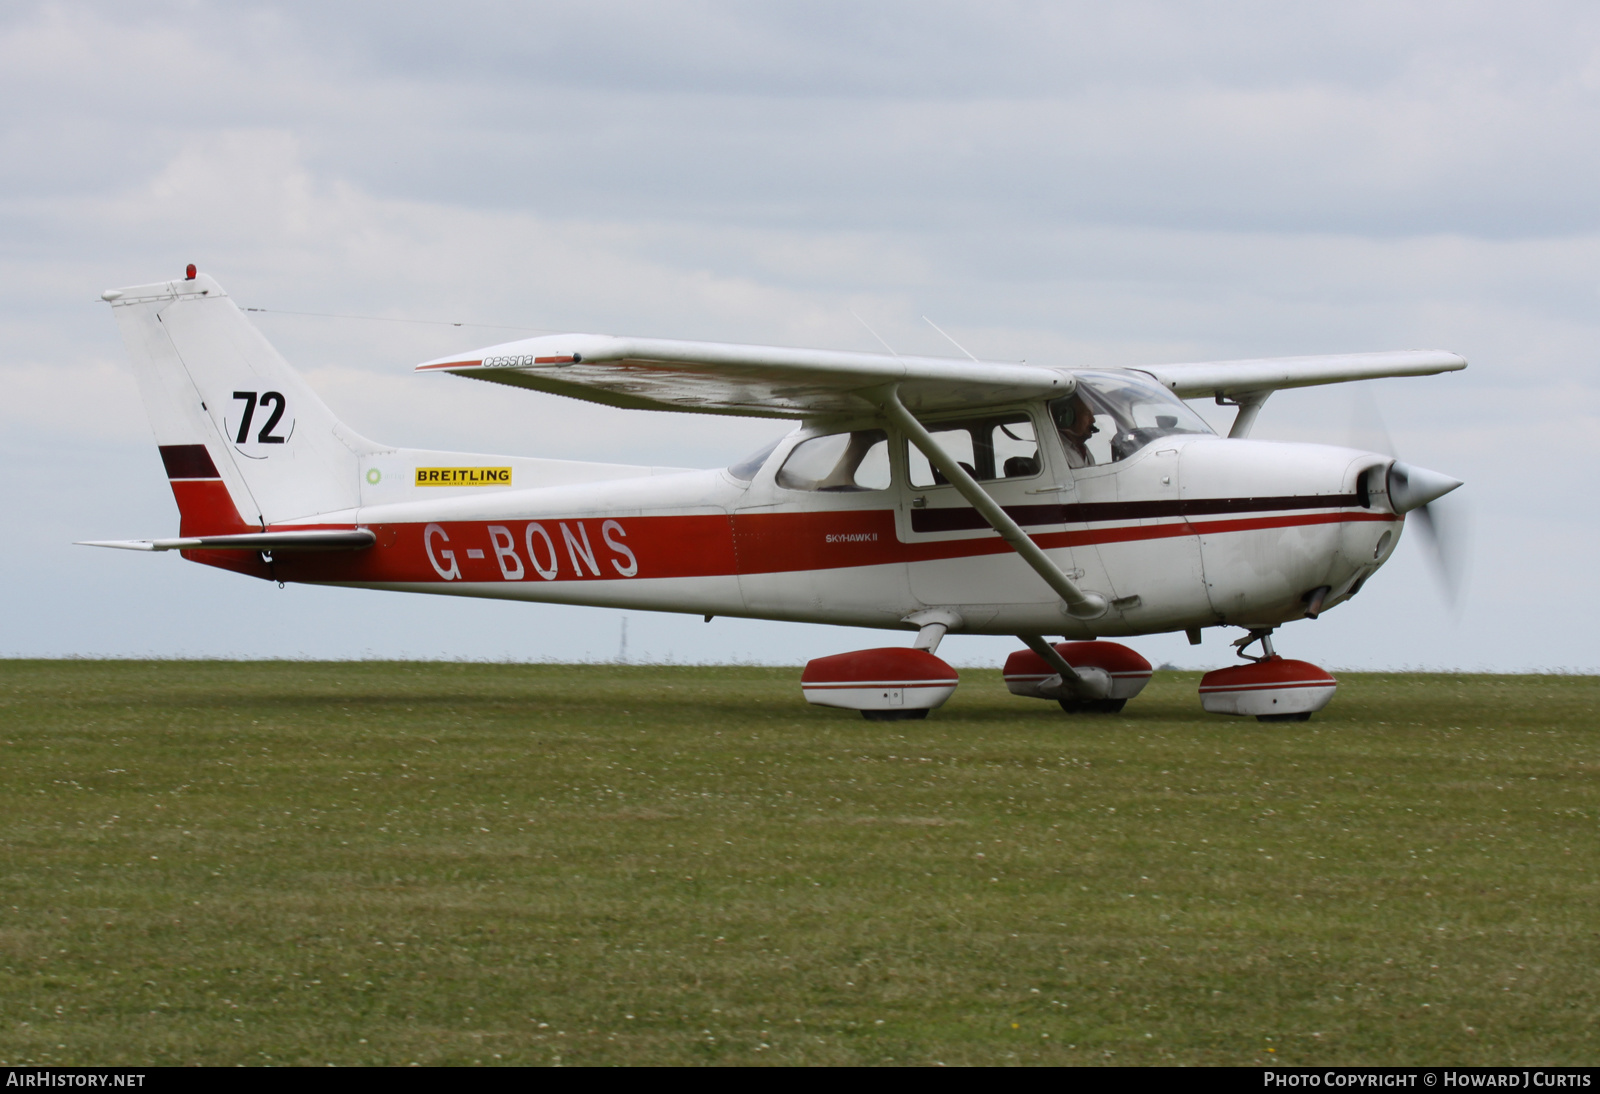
x=1190 y=532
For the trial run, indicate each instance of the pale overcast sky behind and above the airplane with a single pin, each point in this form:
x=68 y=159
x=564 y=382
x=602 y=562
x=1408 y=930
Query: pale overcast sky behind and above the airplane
x=1076 y=185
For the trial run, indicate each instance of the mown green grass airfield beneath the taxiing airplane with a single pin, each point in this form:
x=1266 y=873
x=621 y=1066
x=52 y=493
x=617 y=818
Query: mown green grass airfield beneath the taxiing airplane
x=532 y=864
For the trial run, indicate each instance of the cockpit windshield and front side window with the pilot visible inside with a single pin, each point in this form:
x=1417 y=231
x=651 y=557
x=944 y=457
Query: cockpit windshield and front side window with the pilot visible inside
x=1114 y=415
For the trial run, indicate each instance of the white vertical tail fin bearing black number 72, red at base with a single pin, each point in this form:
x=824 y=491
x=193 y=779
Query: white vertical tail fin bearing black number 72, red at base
x=244 y=439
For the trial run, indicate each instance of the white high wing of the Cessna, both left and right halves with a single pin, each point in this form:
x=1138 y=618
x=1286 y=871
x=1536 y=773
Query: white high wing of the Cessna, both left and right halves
x=772 y=381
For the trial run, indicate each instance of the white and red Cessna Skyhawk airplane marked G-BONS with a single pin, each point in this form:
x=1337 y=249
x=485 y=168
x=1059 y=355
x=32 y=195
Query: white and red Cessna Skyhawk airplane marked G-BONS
x=926 y=495
